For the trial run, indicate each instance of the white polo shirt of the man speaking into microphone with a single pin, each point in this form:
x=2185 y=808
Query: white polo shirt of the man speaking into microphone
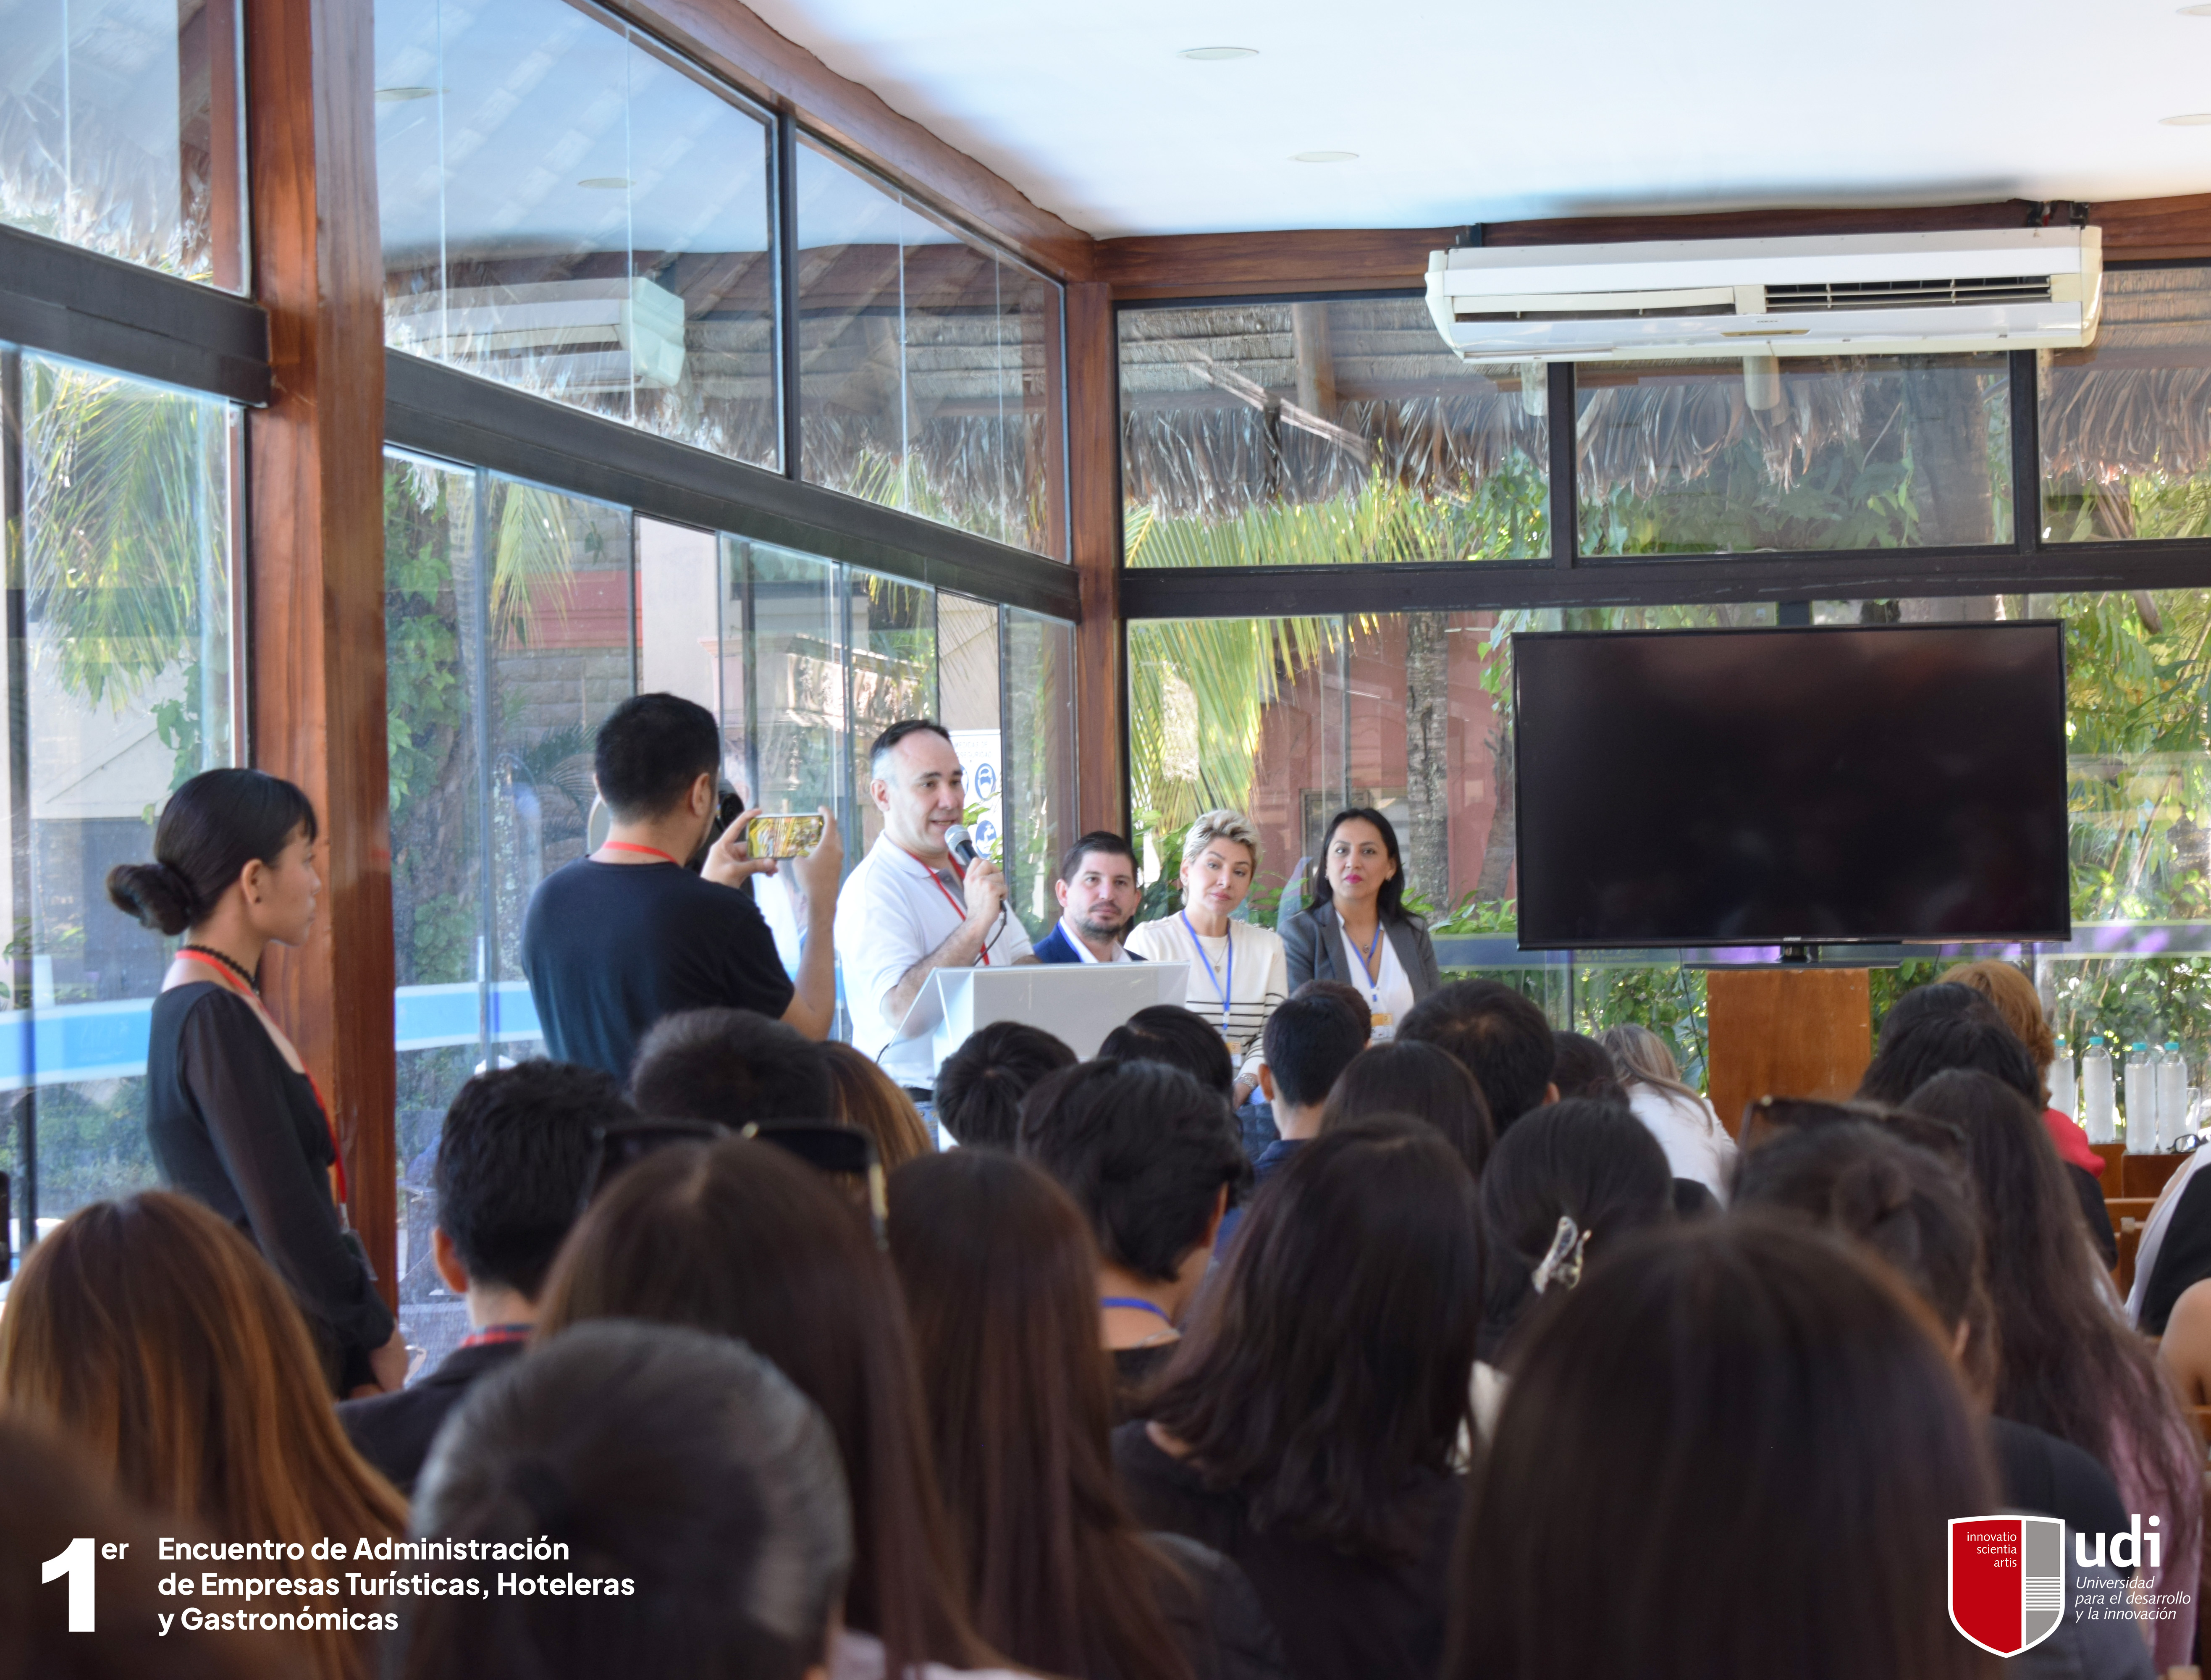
x=892 y=914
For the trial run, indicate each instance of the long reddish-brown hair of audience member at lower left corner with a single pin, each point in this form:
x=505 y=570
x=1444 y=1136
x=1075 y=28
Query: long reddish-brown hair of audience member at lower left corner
x=154 y=1336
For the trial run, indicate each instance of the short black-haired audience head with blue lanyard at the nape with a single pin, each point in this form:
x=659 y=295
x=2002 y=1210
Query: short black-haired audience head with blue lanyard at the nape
x=1149 y=1153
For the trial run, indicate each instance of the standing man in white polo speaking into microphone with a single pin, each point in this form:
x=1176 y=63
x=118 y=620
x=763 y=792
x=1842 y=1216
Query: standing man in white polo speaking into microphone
x=919 y=901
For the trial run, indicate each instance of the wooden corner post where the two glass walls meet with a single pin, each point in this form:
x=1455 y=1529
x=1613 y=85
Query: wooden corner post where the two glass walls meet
x=1096 y=518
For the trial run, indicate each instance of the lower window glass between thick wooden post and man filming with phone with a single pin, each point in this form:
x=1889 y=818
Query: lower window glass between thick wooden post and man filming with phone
x=510 y=638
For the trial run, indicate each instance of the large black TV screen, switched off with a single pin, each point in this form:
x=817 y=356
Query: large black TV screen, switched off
x=1858 y=784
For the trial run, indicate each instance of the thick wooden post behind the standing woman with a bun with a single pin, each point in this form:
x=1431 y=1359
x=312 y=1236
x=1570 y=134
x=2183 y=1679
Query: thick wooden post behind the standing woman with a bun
x=317 y=556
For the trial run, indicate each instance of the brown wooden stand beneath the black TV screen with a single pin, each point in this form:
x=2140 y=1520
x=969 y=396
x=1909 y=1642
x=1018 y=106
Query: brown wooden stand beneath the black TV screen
x=1785 y=1033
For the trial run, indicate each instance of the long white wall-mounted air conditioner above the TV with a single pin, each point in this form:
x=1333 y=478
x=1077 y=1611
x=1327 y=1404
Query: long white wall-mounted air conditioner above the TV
x=1845 y=295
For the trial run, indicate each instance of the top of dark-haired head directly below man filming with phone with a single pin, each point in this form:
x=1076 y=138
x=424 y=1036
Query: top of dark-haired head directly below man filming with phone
x=733 y=1069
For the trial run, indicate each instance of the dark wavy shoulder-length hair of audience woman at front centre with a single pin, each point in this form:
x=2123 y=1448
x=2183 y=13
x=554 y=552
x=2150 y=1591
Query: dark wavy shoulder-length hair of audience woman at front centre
x=1332 y=1363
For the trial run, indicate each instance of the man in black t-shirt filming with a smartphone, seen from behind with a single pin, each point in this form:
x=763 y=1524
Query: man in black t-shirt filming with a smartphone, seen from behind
x=629 y=936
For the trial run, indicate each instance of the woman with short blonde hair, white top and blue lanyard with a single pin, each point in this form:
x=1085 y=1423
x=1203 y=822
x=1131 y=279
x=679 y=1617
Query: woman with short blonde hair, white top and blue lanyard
x=1237 y=969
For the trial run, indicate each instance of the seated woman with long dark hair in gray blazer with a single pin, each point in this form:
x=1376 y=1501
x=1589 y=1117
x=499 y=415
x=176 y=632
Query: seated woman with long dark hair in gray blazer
x=1356 y=930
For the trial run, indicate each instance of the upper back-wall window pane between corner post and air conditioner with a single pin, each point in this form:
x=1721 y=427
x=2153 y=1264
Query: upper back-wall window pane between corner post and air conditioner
x=1321 y=434
